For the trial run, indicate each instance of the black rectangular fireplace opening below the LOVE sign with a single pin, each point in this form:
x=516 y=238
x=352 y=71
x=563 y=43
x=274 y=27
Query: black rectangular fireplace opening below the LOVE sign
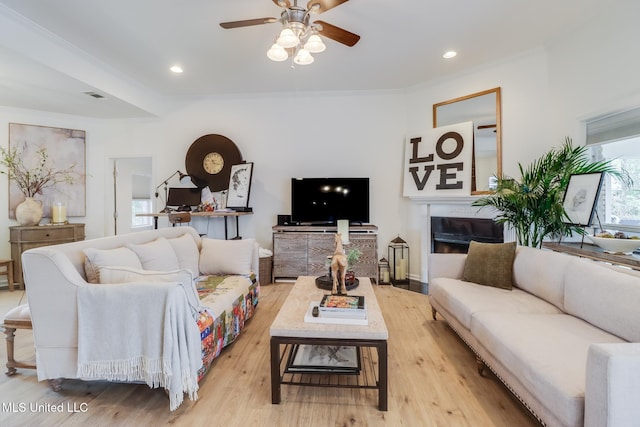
x=452 y=234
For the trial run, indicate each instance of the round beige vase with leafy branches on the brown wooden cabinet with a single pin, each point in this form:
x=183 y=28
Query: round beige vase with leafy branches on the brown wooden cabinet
x=32 y=181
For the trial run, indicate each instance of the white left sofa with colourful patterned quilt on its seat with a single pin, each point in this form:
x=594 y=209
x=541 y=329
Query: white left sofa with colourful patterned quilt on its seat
x=55 y=276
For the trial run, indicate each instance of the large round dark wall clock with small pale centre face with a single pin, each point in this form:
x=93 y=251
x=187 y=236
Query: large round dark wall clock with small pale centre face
x=209 y=160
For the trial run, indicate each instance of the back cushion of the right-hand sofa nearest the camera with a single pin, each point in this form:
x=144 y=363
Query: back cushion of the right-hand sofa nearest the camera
x=589 y=295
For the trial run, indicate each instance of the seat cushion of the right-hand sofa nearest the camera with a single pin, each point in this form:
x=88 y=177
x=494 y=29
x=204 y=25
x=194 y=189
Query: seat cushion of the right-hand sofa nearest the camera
x=547 y=354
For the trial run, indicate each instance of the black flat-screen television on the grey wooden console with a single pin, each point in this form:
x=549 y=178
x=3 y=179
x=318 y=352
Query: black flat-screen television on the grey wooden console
x=326 y=200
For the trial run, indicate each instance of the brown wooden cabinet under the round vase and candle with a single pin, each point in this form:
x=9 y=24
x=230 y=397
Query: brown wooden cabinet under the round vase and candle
x=29 y=237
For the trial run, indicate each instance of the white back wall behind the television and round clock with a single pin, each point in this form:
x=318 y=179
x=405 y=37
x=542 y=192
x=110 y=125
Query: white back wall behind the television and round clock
x=335 y=134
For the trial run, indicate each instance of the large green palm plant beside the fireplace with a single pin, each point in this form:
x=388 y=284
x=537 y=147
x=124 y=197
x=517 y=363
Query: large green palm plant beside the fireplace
x=533 y=204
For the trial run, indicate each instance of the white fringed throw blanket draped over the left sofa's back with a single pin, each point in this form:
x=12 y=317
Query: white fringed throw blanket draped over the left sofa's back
x=140 y=332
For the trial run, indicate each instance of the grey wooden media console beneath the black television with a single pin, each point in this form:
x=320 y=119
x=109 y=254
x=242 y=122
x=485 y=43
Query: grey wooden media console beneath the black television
x=303 y=250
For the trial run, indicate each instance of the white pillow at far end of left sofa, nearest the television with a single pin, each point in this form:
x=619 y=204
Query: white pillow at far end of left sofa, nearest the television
x=226 y=256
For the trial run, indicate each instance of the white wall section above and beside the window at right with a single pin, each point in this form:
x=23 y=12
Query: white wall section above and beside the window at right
x=594 y=70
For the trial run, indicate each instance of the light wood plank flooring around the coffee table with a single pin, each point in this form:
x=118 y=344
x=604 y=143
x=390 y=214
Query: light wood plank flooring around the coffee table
x=432 y=382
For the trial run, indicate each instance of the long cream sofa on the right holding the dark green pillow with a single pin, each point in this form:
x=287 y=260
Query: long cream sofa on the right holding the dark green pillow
x=565 y=340
